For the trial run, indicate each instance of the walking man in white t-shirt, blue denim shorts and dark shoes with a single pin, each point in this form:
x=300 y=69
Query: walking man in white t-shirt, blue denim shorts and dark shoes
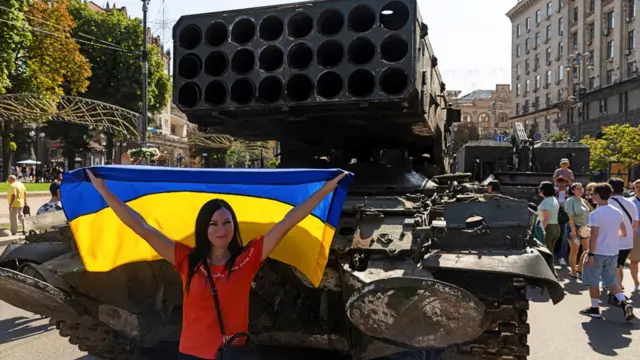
x=607 y=224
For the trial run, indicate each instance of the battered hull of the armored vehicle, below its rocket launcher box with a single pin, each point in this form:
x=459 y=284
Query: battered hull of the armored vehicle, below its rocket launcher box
x=412 y=273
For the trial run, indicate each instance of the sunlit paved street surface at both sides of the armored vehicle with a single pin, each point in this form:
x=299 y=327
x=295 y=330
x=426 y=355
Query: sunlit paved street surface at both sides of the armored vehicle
x=557 y=332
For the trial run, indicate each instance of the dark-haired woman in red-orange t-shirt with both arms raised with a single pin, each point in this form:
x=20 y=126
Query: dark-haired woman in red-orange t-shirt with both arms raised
x=216 y=273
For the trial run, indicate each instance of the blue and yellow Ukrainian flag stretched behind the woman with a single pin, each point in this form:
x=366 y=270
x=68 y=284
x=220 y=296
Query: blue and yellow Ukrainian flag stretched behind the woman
x=170 y=198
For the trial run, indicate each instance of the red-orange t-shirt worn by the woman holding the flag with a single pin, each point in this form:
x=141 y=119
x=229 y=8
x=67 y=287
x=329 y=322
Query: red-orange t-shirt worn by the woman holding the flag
x=201 y=335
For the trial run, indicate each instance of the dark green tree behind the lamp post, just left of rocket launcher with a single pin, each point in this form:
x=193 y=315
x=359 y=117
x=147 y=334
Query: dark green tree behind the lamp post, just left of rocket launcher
x=116 y=69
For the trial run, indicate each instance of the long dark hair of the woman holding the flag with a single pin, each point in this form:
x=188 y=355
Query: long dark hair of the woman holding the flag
x=199 y=254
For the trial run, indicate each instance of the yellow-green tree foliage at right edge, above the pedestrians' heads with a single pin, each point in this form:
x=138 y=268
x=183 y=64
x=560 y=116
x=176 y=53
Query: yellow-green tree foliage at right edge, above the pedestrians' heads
x=618 y=143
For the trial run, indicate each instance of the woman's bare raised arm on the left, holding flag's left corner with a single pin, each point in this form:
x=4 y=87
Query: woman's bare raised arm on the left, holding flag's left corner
x=157 y=240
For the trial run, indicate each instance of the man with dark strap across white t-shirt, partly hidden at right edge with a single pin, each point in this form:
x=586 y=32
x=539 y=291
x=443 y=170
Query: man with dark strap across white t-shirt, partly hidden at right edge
x=630 y=216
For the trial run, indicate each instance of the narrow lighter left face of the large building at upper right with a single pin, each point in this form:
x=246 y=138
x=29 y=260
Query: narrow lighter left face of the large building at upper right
x=538 y=50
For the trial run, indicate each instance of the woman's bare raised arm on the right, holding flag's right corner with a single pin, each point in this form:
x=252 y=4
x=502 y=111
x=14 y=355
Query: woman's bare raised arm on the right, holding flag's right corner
x=273 y=237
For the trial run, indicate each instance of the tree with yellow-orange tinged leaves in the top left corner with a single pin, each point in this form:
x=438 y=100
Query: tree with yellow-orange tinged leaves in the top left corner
x=46 y=59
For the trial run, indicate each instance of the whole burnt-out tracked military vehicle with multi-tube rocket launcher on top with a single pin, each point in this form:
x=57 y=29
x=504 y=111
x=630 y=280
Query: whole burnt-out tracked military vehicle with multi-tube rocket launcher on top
x=418 y=269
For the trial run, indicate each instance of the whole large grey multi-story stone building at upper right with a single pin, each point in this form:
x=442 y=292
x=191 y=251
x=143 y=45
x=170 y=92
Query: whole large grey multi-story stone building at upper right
x=584 y=75
